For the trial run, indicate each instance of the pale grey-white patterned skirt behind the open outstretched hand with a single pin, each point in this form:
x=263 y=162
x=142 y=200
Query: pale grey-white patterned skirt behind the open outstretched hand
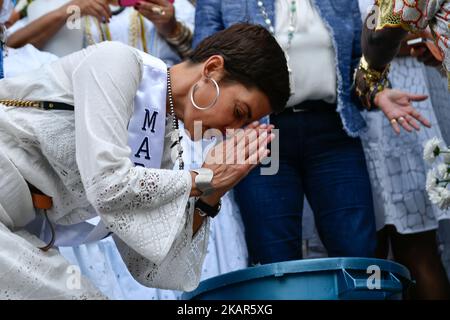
x=395 y=162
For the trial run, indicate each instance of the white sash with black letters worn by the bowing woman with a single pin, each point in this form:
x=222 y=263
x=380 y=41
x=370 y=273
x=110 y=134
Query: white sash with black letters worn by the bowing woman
x=146 y=132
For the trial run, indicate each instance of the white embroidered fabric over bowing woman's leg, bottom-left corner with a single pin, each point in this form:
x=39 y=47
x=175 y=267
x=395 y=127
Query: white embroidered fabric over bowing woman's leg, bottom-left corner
x=29 y=273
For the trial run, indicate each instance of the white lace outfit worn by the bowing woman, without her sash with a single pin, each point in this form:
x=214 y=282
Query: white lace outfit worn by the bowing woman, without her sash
x=81 y=160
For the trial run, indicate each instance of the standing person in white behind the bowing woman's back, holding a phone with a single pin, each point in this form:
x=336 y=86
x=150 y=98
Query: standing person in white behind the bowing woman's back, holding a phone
x=157 y=27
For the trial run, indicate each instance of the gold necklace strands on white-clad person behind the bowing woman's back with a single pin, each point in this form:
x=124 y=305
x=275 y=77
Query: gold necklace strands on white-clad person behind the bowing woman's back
x=136 y=27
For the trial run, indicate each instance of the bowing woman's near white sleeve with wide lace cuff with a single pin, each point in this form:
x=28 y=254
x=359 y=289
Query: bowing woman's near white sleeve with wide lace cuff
x=145 y=208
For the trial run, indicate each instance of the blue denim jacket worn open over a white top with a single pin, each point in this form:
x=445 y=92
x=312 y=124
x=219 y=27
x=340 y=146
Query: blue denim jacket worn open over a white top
x=342 y=18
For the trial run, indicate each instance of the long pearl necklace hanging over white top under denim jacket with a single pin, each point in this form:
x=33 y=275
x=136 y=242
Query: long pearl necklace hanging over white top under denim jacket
x=291 y=34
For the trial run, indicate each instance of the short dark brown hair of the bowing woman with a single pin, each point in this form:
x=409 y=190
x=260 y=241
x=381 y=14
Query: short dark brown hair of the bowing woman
x=252 y=57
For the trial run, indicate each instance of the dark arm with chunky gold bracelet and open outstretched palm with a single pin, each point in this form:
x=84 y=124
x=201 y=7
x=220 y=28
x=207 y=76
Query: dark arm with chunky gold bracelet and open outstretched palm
x=381 y=45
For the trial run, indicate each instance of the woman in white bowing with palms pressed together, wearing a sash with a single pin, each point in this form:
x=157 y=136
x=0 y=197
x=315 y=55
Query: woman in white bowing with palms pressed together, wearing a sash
x=113 y=154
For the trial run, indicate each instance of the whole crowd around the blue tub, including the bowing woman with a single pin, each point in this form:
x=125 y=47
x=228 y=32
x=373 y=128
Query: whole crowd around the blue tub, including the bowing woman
x=332 y=91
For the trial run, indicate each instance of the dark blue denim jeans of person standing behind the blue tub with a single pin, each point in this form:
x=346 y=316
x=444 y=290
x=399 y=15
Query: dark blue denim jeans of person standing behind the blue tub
x=319 y=160
